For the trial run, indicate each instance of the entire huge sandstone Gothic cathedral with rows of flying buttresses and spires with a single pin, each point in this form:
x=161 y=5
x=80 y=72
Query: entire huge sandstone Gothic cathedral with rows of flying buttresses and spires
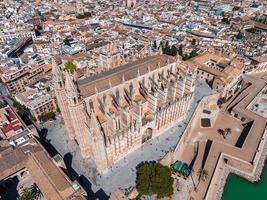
x=115 y=112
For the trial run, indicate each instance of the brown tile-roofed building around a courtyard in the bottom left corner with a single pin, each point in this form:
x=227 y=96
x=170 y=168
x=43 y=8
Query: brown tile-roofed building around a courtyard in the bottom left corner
x=29 y=161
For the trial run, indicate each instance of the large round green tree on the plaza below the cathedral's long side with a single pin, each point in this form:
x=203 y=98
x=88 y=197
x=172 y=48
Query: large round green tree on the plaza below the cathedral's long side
x=154 y=178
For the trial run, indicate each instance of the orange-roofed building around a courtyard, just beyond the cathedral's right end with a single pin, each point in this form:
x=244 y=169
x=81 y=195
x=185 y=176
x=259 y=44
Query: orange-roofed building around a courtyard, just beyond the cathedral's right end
x=222 y=73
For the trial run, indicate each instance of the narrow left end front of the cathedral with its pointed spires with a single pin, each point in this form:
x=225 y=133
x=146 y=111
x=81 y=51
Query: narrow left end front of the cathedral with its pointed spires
x=81 y=125
